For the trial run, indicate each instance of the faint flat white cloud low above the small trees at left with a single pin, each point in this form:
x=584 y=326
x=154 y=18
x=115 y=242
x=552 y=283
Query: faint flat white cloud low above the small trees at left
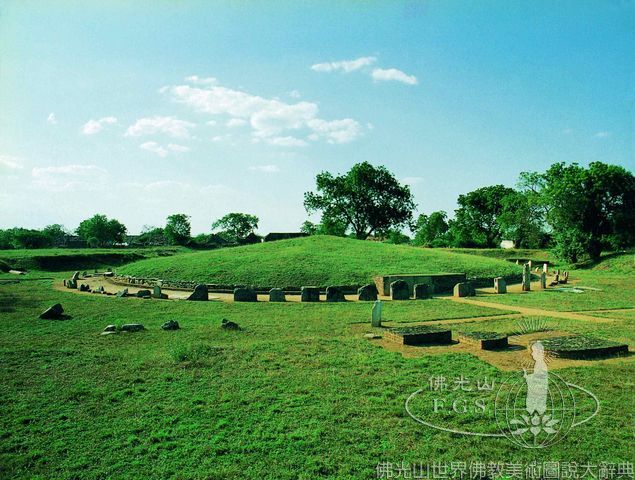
x=66 y=178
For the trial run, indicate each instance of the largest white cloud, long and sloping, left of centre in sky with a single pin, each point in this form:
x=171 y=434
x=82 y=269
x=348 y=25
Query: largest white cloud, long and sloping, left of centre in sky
x=268 y=118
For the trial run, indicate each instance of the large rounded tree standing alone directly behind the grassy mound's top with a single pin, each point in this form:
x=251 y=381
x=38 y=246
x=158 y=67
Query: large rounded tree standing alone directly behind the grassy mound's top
x=367 y=199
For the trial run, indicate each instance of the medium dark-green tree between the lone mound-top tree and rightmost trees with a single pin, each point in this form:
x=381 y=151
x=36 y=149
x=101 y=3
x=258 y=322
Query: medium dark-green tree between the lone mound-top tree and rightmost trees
x=476 y=220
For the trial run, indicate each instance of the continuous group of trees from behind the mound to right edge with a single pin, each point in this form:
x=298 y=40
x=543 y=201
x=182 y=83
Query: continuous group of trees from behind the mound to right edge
x=578 y=212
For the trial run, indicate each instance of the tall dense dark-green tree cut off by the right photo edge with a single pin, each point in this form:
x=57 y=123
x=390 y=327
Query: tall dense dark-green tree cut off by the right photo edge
x=588 y=209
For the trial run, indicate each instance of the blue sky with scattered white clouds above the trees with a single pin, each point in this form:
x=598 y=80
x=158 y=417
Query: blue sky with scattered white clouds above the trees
x=143 y=109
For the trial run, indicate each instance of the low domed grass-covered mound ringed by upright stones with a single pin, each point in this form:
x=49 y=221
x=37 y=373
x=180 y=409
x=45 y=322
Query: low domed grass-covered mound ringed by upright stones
x=318 y=260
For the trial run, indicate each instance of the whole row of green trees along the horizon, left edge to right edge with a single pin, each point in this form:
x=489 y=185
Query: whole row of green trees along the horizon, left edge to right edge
x=578 y=212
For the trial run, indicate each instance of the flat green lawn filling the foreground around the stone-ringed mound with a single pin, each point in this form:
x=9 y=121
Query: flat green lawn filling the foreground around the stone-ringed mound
x=297 y=394
